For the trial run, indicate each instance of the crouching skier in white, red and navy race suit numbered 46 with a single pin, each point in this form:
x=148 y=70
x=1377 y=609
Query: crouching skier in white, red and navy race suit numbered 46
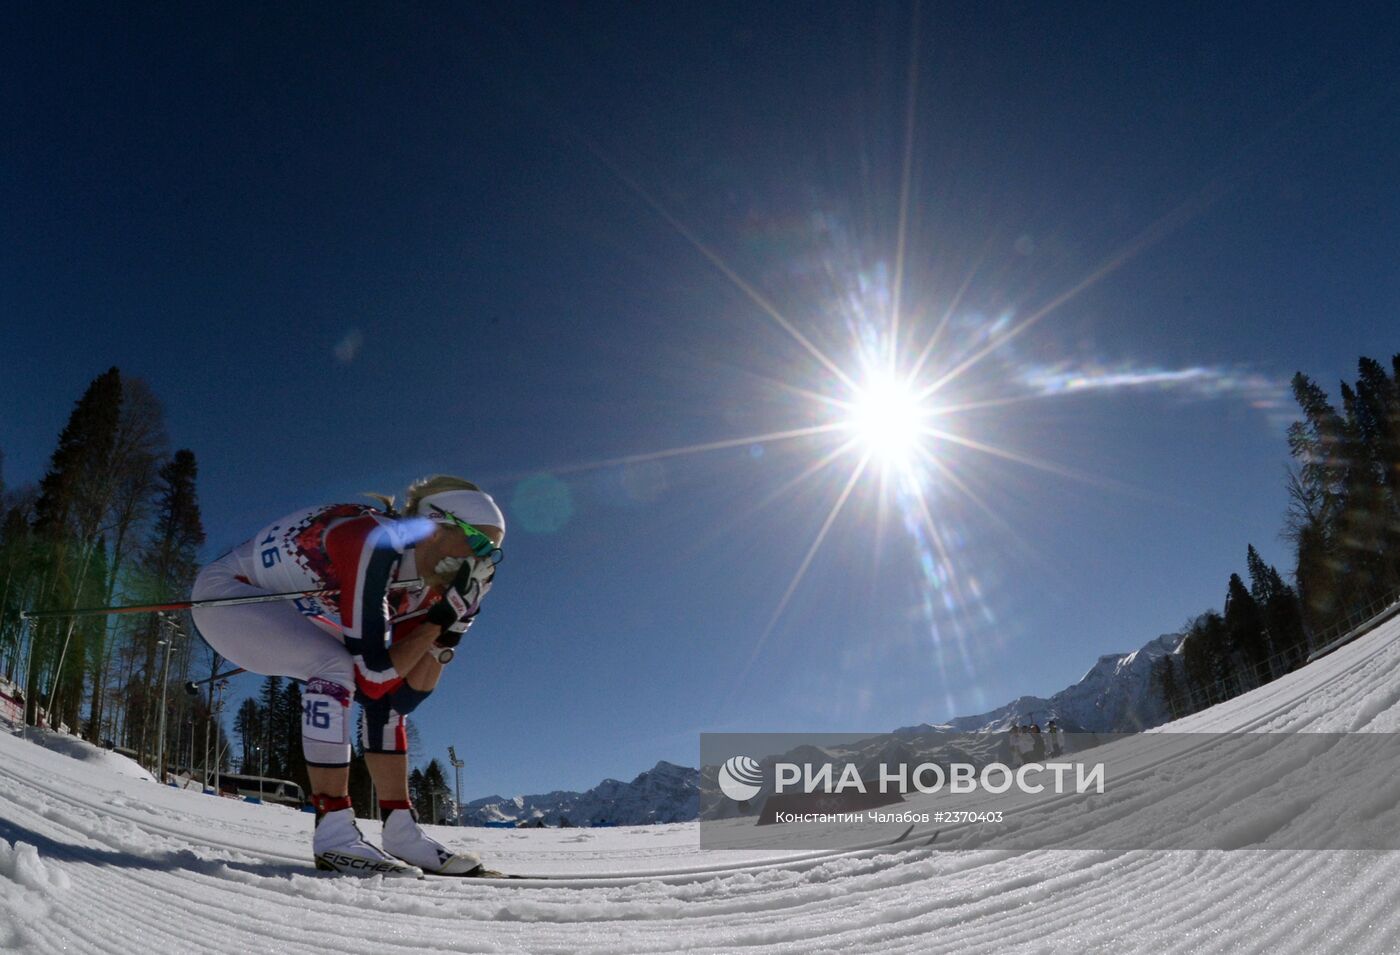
x=407 y=589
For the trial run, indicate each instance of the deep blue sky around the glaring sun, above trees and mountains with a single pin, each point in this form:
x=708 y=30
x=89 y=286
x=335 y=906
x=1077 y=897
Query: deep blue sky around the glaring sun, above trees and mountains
x=353 y=246
